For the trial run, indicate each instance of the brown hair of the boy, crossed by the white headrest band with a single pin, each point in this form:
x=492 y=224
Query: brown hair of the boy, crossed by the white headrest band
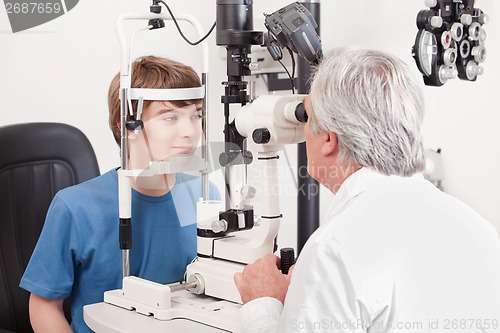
x=154 y=73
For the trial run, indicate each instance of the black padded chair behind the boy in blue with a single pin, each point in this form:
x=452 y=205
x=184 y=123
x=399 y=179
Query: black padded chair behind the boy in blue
x=36 y=161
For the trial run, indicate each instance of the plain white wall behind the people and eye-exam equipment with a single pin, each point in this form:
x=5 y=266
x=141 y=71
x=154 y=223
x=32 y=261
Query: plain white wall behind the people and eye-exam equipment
x=60 y=72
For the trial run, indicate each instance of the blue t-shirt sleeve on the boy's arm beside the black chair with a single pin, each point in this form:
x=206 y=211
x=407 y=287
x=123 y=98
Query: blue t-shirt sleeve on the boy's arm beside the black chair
x=50 y=271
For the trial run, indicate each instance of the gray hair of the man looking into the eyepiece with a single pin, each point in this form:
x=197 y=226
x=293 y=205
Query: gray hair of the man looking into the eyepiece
x=373 y=103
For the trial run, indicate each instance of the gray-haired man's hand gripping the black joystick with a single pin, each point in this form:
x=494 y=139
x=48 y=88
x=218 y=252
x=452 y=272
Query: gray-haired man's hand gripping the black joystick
x=263 y=278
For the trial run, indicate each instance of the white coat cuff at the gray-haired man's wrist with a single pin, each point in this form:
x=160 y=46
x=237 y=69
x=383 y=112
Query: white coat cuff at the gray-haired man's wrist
x=261 y=315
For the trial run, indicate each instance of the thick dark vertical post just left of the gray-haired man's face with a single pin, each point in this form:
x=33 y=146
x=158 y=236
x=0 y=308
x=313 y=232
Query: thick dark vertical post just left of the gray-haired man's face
x=308 y=194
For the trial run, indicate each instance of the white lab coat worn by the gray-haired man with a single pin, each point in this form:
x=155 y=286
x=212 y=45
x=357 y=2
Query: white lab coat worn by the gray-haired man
x=394 y=254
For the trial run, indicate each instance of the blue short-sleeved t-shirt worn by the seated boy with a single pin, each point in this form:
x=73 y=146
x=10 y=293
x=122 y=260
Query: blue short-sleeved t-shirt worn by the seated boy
x=78 y=252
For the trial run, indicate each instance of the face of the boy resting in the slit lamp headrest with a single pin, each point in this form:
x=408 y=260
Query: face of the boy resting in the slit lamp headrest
x=168 y=131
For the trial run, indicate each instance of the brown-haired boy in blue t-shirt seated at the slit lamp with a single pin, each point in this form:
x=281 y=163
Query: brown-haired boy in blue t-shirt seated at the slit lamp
x=78 y=253
